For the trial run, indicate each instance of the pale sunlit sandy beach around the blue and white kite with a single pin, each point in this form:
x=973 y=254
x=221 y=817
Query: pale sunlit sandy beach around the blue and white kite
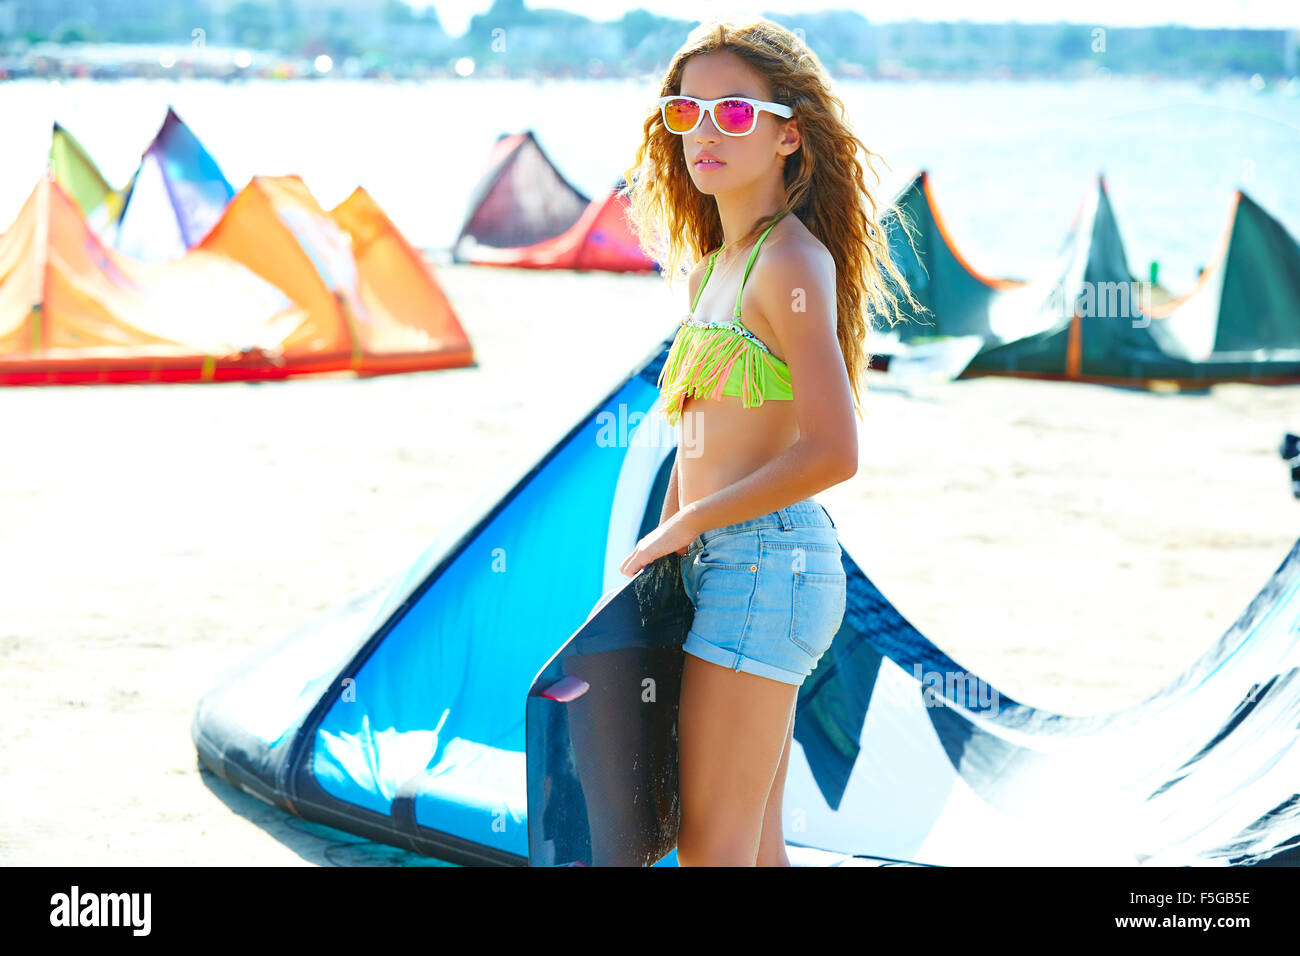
x=1076 y=546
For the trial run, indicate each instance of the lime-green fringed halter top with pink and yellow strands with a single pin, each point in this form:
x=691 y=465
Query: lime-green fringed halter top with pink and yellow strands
x=714 y=360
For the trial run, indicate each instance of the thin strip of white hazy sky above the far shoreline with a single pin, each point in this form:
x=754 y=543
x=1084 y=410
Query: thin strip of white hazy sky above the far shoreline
x=1251 y=14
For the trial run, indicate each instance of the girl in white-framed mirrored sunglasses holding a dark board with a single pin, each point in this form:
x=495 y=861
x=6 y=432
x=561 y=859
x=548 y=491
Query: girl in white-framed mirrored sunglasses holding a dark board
x=748 y=141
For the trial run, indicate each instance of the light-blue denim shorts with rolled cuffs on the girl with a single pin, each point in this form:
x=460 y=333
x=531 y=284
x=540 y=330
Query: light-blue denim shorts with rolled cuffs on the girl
x=769 y=592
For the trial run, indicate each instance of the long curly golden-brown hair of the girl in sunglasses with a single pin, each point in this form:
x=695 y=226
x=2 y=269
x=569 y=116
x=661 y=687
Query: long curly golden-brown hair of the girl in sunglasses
x=825 y=184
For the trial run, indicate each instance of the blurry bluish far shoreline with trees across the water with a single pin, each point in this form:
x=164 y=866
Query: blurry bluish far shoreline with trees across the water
x=557 y=45
